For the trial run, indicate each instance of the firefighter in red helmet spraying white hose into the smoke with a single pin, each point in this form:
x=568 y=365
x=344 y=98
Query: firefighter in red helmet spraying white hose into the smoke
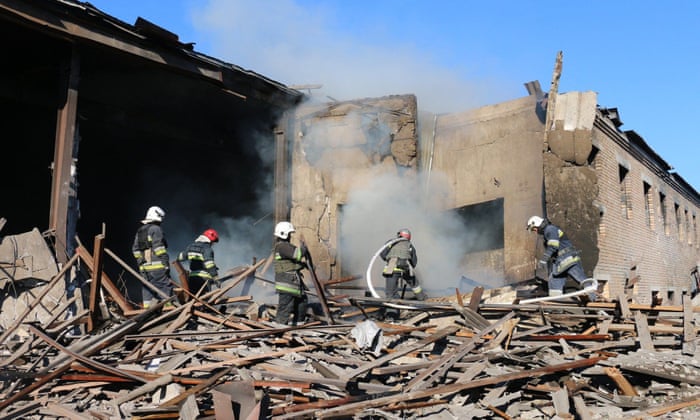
x=401 y=260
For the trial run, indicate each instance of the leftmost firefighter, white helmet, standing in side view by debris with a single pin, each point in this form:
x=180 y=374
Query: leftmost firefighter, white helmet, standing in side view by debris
x=150 y=249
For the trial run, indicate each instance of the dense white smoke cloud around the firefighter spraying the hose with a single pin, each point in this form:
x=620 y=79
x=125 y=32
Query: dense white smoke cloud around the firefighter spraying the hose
x=377 y=211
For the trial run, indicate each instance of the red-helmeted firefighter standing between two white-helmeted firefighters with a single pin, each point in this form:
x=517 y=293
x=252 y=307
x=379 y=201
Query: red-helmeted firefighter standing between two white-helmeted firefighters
x=203 y=271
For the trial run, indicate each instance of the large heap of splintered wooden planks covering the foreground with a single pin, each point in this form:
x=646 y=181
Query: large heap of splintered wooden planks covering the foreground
x=476 y=355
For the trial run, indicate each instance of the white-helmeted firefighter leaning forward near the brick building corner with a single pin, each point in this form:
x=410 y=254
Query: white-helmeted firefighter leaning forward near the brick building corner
x=566 y=260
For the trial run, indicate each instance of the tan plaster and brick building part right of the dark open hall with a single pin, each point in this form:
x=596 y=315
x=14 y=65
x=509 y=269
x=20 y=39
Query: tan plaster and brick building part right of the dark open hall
x=633 y=219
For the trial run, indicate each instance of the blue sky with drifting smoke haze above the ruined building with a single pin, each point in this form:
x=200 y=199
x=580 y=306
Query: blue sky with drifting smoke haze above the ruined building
x=641 y=56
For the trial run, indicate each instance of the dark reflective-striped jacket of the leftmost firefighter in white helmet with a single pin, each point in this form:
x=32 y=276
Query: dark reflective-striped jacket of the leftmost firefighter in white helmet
x=150 y=248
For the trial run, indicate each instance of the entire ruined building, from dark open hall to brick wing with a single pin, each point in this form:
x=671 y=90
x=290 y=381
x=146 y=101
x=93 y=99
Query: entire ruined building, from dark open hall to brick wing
x=112 y=115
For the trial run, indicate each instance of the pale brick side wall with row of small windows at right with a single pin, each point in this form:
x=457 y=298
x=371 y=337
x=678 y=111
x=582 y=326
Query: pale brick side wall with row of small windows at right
x=633 y=238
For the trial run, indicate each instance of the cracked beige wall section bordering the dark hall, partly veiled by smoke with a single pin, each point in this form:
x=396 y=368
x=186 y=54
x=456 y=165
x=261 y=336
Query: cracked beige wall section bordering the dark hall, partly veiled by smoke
x=340 y=148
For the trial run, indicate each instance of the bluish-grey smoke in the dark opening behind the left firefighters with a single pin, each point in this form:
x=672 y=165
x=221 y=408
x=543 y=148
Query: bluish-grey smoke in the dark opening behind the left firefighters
x=244 y=224
